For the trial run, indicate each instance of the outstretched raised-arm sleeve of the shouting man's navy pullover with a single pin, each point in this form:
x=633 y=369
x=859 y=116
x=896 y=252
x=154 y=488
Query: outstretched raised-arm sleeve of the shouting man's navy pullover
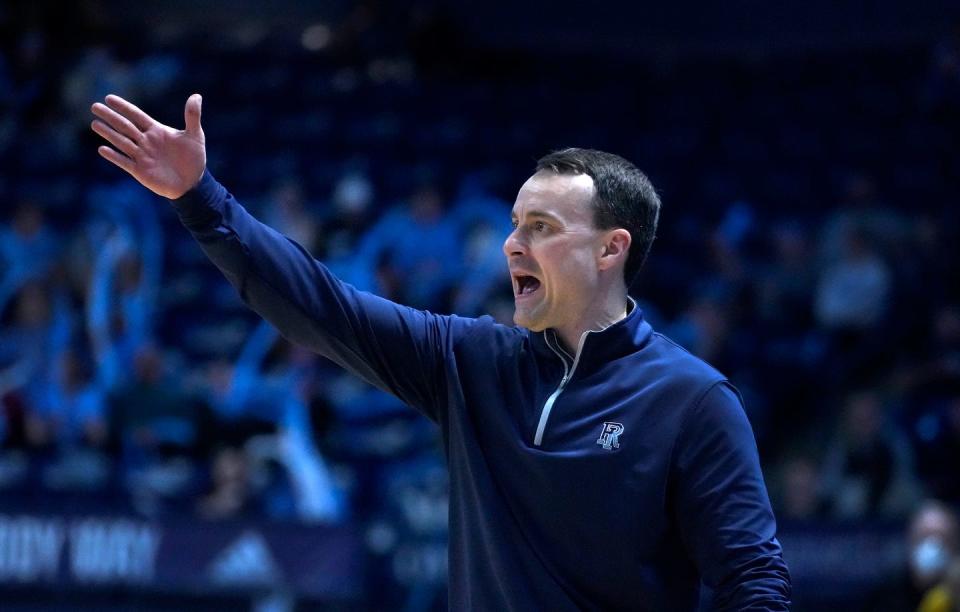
x=395 y=348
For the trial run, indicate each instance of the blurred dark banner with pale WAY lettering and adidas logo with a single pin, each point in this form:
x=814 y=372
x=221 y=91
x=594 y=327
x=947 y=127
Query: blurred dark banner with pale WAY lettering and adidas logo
x=90 y=551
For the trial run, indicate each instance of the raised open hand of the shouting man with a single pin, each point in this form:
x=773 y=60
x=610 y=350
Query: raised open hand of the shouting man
x=167 y=161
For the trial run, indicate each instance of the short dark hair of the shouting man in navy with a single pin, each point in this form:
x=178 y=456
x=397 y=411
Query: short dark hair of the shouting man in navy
x=625 y=198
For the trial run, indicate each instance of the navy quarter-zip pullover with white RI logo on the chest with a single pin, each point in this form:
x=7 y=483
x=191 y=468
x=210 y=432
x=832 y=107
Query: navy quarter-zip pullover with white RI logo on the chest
x=616 y=478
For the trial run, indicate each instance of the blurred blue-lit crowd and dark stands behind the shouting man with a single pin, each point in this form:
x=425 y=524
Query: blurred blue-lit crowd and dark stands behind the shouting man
x=809 y=248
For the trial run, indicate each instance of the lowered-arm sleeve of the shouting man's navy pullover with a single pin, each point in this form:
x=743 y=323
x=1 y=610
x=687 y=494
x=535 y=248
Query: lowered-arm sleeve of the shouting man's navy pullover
x=724 y=513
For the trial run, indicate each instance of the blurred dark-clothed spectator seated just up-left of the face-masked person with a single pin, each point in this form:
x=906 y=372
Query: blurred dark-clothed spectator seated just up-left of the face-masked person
x=868 y=470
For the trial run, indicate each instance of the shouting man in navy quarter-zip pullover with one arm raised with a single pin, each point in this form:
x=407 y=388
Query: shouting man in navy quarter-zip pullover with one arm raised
x=594 y=464
